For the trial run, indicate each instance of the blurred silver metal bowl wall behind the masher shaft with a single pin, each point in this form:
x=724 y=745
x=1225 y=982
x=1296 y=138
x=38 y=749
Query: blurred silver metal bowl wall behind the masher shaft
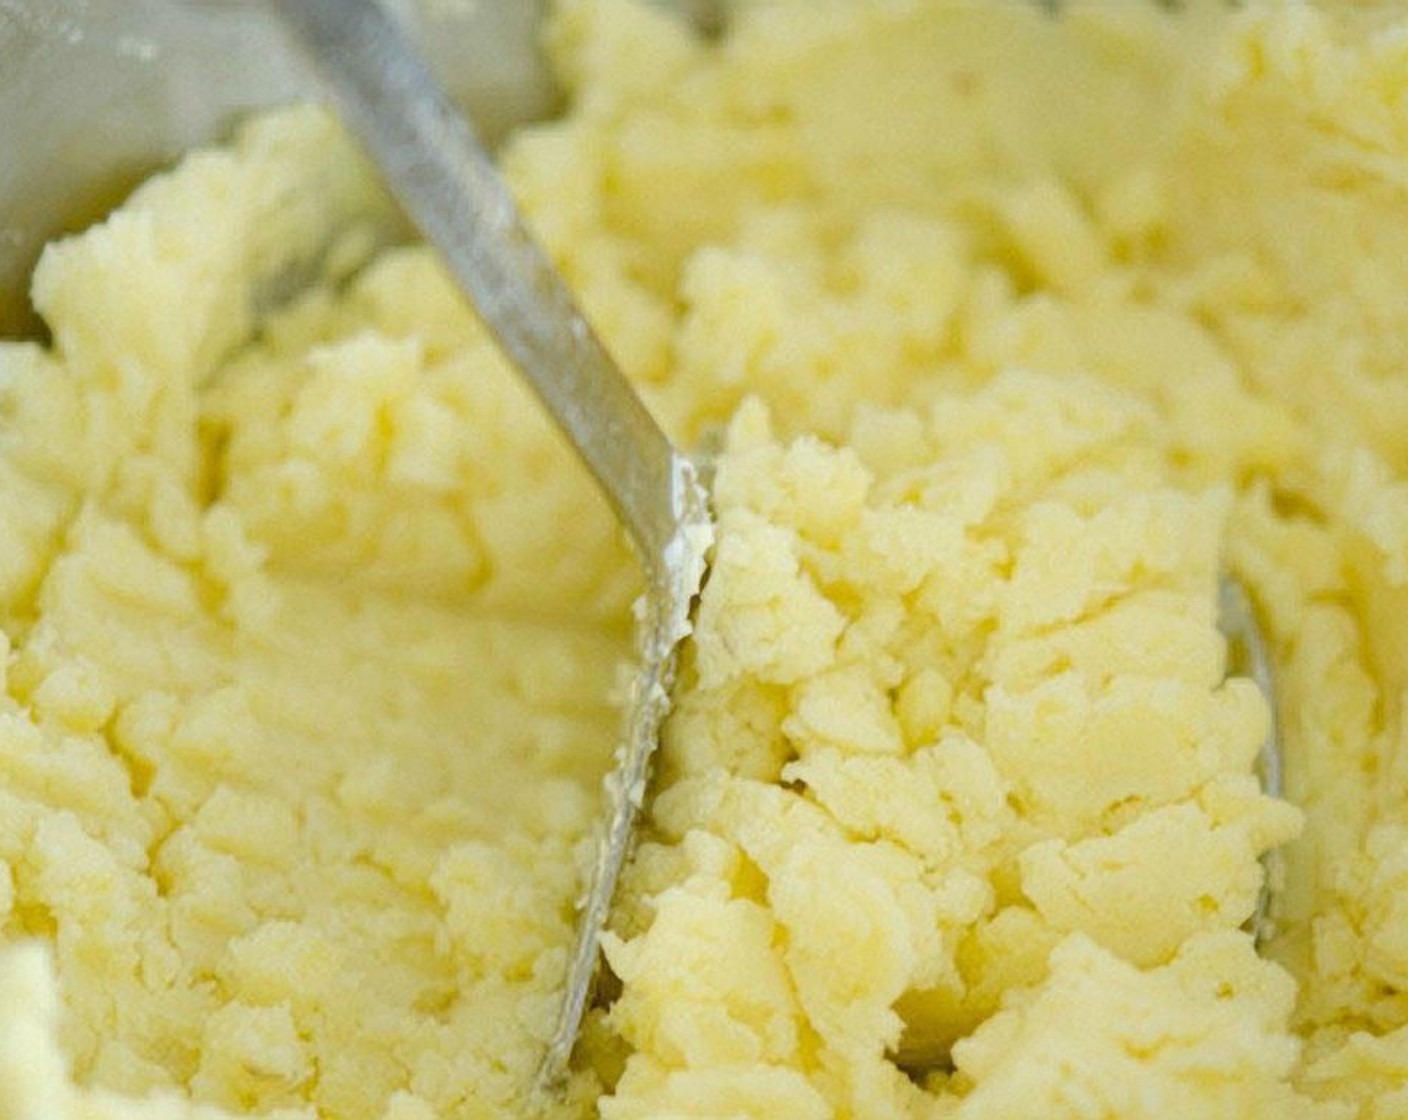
x=95 y=95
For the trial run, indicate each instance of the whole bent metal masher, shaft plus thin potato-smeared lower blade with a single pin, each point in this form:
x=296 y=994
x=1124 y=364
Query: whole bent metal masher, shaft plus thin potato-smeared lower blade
x=451 y=191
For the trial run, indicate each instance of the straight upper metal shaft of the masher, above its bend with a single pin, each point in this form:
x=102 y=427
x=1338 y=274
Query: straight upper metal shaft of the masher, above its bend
x=451 y=189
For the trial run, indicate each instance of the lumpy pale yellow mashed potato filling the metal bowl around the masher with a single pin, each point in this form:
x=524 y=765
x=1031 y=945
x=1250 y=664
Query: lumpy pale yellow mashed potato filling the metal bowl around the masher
x=1020 y=329
